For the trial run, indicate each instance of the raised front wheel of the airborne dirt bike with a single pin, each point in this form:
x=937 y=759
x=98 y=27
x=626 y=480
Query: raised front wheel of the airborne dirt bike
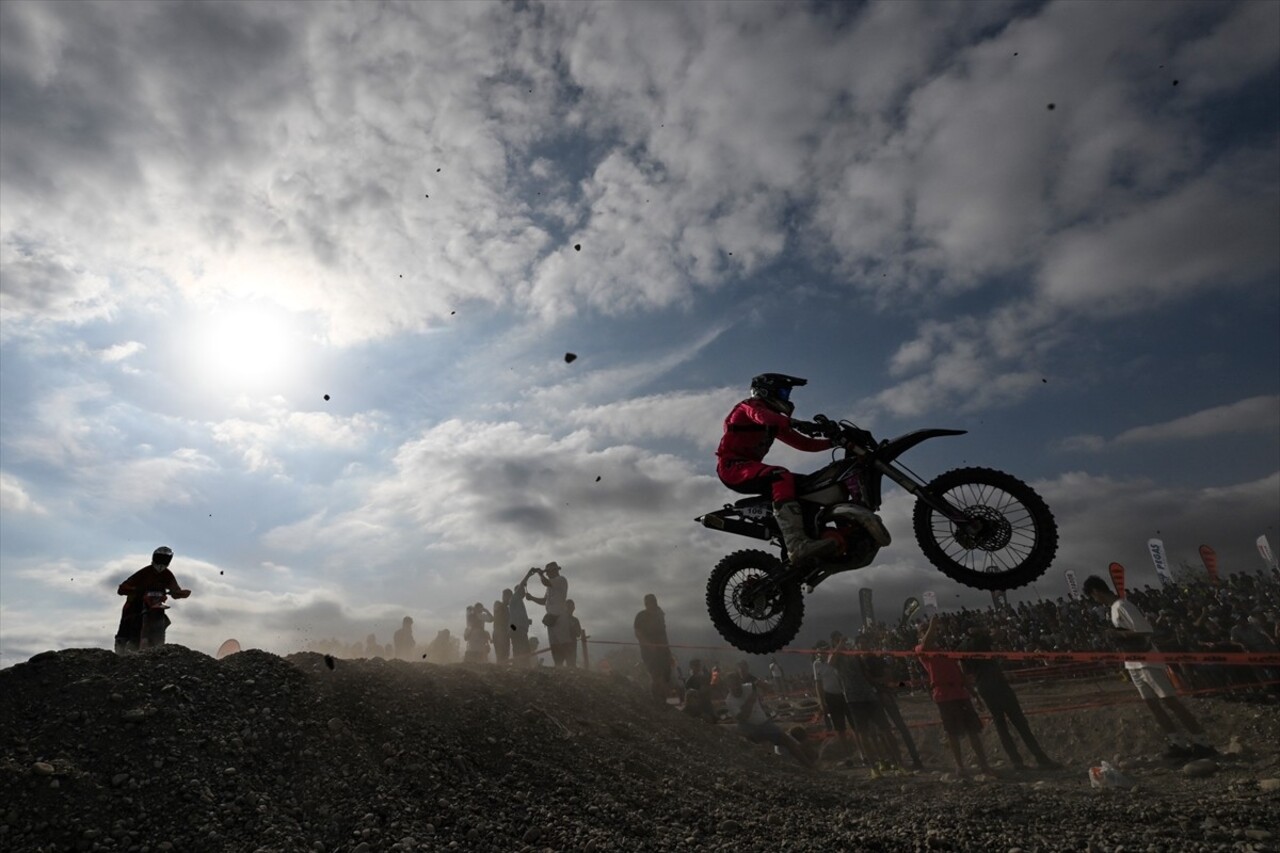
x=1009 y=536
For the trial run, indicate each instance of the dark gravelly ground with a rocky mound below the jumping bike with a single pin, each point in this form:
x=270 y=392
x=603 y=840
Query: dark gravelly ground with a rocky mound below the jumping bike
x=176 y=751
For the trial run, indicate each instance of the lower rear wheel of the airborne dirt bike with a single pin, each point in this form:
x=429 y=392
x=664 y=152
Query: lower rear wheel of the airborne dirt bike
x=752 y=614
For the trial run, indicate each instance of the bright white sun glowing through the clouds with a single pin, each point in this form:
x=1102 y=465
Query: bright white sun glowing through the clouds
x=246 y=348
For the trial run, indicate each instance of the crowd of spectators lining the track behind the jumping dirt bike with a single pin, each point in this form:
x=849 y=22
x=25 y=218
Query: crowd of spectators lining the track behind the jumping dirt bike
x=853 y=697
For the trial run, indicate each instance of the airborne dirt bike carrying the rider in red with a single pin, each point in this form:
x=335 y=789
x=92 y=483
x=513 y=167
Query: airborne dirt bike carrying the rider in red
x=977 y=526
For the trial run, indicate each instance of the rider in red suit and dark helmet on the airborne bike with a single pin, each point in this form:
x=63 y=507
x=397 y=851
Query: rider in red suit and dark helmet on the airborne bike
x=749 y=434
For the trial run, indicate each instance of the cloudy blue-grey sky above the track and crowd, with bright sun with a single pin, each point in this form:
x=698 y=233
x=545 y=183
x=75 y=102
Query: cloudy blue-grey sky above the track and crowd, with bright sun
x=289 y=288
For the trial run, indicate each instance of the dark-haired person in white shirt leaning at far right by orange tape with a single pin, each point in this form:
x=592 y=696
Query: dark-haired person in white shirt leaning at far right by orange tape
x=1132 y=633
